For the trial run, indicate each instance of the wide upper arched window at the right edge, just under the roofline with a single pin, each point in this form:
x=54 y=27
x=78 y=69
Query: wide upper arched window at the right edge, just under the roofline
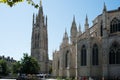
x=115 y=25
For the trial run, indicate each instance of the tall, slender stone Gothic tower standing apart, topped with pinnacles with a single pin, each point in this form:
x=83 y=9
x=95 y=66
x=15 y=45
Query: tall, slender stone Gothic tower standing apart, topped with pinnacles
x=39 y=40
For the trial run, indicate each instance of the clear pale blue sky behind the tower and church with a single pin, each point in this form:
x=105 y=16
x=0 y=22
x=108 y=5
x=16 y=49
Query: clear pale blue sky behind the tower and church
x=16 y=22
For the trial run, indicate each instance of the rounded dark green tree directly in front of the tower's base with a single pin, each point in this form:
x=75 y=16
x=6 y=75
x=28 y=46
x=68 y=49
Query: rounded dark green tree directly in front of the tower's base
x=29 y=65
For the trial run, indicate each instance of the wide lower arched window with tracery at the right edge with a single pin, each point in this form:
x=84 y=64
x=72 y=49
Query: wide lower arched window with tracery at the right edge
x=114 y=54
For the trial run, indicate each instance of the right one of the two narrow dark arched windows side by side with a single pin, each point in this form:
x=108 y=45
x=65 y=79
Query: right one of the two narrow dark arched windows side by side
x=95 y=55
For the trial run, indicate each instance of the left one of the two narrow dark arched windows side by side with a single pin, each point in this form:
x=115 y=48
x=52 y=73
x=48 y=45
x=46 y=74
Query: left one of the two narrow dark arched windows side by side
x=83 y=56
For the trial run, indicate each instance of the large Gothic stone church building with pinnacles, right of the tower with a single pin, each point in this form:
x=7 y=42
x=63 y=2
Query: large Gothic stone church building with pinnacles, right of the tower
x=95 y=52
